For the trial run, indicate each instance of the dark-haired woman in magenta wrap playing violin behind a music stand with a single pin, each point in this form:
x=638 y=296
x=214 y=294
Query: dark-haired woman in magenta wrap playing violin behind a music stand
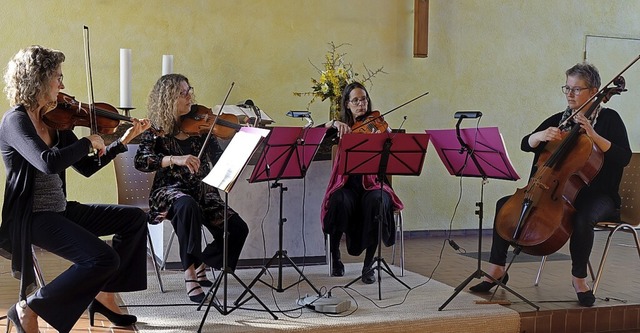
x=352 y=203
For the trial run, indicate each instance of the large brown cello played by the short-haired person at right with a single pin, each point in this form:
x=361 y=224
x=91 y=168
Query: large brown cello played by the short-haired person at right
x=538 y=219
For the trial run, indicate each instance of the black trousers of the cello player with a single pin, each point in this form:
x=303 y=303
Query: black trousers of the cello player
x=589 y=210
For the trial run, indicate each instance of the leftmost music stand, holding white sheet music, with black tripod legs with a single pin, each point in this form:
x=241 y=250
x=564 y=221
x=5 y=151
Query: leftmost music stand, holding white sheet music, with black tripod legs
x=223 y=176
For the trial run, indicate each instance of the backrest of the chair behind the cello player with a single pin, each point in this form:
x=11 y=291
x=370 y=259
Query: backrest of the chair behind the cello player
x=630 y=192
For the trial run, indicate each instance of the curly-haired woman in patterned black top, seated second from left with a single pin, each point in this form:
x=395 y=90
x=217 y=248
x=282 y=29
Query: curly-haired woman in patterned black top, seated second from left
x=178 y=193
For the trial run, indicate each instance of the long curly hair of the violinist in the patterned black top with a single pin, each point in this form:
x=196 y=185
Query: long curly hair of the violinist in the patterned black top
x=163 y=100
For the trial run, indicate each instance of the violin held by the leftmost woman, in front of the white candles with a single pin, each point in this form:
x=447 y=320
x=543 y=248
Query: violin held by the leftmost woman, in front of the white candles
x=69 y=113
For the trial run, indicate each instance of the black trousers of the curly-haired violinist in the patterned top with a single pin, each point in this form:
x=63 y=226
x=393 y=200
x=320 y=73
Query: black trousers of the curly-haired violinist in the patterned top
x=187 y=219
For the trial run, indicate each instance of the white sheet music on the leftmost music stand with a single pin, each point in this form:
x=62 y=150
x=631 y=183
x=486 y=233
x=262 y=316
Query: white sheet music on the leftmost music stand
x=235 y=157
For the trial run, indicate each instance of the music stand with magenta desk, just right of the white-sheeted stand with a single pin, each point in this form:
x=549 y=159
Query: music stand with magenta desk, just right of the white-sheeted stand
x=287 y=154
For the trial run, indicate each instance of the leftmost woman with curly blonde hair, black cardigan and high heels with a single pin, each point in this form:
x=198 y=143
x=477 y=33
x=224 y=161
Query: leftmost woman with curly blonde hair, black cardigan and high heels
x=36 y=210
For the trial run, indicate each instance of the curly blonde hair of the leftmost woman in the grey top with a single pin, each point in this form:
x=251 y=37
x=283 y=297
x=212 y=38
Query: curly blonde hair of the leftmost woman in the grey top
x=28 y=73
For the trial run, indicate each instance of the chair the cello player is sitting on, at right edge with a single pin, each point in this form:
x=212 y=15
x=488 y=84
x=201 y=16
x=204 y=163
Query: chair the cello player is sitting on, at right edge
x=629 y=216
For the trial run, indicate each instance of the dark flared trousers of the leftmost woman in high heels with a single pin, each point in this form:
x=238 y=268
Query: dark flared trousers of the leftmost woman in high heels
x=96 y=266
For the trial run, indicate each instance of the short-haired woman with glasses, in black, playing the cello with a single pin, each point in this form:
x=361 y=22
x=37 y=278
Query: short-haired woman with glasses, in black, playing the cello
x=597 y=202
